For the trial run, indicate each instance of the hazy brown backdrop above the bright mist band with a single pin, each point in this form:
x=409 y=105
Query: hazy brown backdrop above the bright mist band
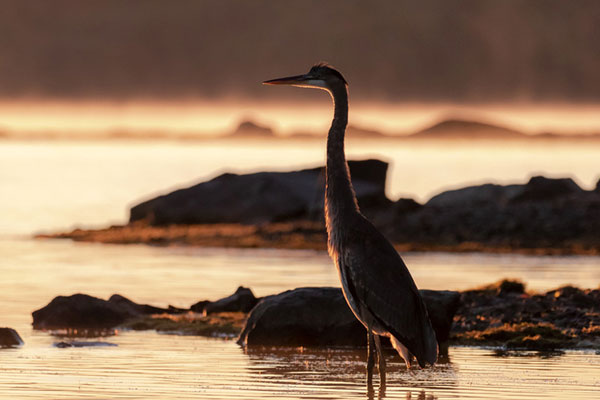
x=447 y=50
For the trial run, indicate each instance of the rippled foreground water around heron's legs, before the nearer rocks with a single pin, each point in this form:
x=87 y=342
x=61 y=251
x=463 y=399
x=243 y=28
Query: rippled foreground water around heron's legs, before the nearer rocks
x=147 y=365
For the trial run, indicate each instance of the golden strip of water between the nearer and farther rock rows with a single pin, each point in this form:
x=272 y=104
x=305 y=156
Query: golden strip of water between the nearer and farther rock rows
x=35 y=271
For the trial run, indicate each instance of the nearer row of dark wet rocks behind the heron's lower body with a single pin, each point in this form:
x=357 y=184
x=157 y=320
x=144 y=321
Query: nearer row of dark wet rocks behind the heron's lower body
x=502 y=315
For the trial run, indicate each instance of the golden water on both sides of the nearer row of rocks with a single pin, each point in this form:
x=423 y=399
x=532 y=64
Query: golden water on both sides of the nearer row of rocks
x=150 y=365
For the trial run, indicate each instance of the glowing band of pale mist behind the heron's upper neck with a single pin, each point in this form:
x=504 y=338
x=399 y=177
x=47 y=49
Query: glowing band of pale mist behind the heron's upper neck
x=202 y=118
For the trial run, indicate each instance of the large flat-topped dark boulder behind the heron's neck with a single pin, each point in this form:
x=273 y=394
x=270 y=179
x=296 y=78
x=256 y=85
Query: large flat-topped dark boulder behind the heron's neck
x=260 y=197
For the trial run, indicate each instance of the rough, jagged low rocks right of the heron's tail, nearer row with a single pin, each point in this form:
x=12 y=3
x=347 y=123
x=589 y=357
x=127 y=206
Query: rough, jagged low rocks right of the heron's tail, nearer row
x=504 y=314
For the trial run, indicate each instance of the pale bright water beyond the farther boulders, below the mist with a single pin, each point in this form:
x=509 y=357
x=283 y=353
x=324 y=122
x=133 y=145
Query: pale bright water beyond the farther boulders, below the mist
x=46 y=186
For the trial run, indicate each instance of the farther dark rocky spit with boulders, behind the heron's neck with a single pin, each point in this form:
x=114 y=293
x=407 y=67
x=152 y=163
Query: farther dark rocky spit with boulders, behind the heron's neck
x=285 y=210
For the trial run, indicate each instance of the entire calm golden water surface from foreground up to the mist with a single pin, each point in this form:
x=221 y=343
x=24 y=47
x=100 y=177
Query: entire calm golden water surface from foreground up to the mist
x=47 y=186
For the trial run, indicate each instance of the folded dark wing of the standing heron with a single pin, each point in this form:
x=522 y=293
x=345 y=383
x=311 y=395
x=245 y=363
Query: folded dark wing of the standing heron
x=383 y=285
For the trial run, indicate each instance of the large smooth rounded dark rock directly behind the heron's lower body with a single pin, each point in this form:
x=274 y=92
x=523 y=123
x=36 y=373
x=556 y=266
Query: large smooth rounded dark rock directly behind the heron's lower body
x=316 y=316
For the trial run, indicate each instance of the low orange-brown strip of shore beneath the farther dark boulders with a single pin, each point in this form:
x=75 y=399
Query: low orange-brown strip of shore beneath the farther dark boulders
x=301 y=235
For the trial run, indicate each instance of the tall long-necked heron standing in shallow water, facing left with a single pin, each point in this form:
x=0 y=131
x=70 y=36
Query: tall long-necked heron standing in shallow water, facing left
x=376 y=283
